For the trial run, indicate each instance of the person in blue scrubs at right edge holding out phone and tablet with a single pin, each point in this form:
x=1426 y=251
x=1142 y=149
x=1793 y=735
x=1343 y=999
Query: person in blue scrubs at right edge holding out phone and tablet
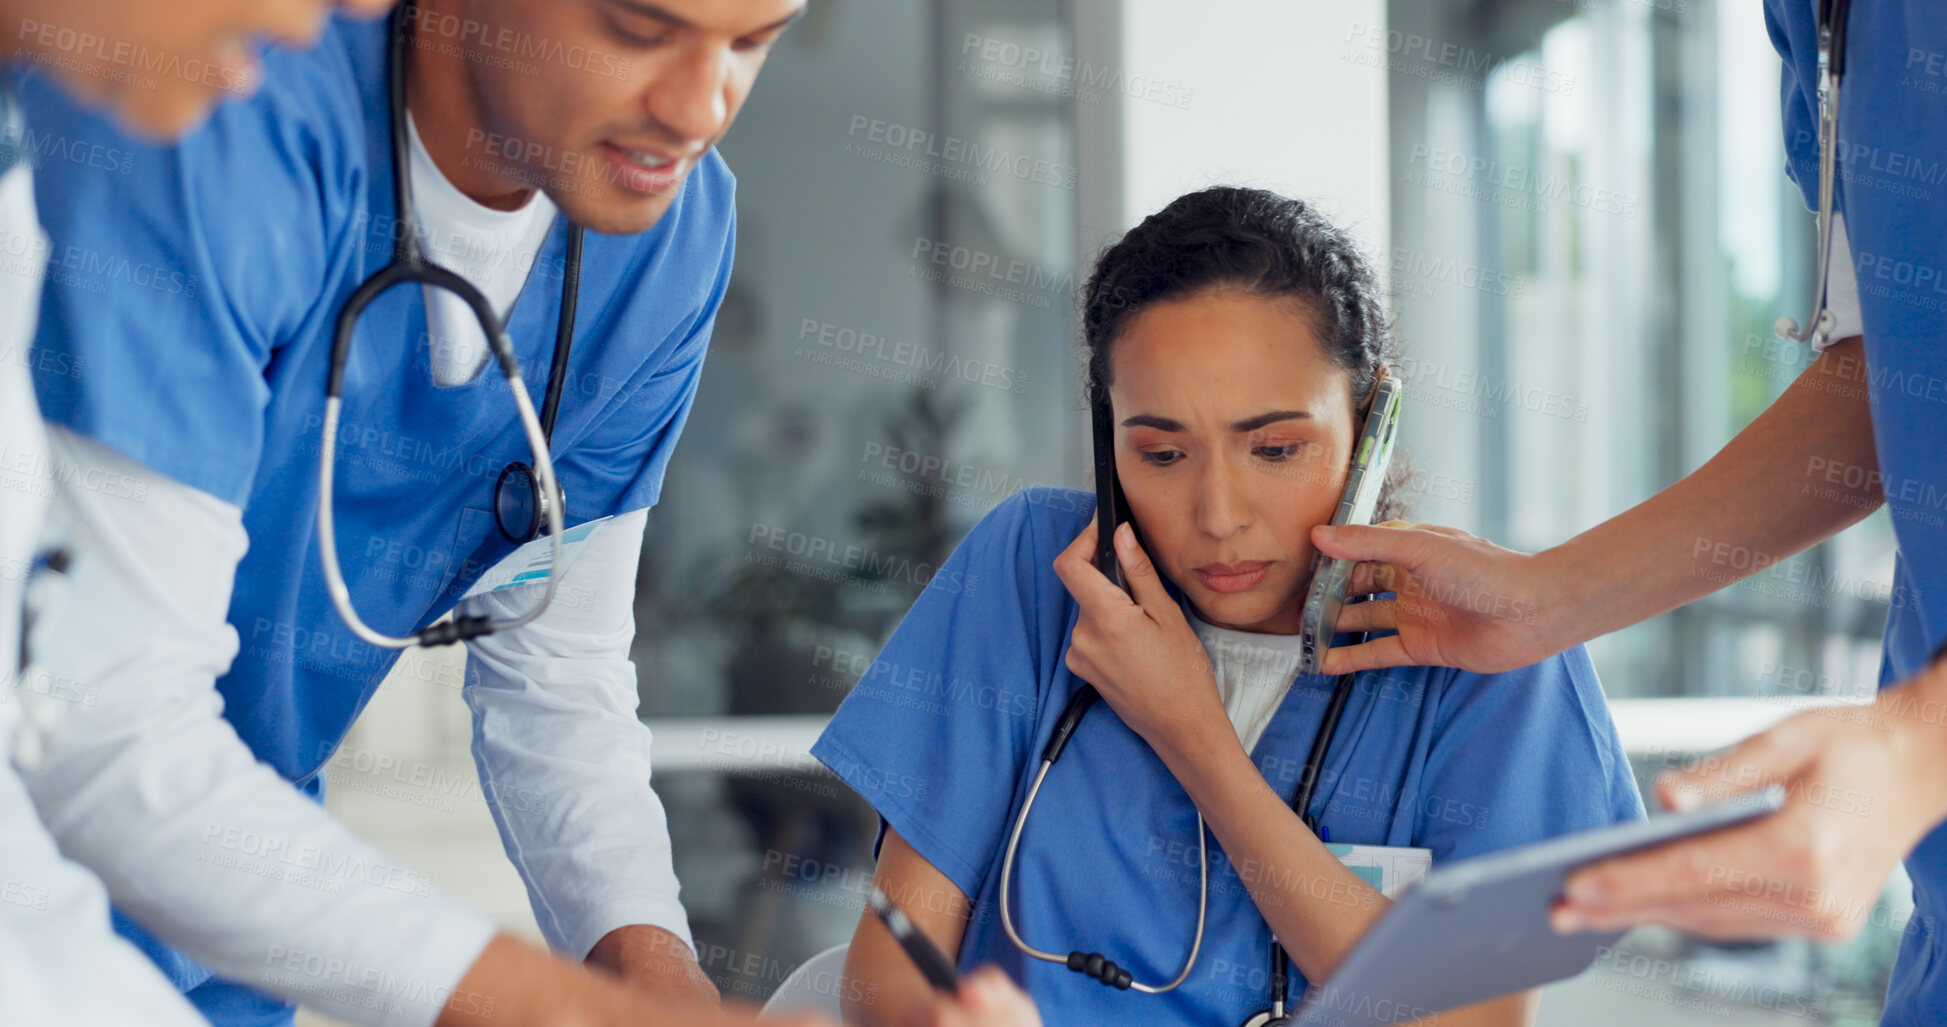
x=1864 y=426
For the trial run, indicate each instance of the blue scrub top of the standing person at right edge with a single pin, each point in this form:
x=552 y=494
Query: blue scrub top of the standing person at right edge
x=1893 y=190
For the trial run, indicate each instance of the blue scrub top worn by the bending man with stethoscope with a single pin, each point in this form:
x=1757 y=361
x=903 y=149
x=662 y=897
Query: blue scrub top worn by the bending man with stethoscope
x=192 y=307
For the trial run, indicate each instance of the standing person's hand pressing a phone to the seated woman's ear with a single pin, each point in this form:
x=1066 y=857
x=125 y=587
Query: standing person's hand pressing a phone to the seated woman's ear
x=1459 y=601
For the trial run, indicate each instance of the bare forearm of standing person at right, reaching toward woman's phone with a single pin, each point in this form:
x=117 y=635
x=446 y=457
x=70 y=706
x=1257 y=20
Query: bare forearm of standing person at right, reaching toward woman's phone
x=1796 y=476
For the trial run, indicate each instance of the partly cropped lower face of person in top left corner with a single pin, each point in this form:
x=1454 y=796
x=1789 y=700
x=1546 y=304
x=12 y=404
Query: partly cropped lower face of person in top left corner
x=161 y=65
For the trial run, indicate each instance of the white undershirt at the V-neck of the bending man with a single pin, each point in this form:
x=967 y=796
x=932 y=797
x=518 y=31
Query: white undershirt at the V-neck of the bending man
x=496 y=250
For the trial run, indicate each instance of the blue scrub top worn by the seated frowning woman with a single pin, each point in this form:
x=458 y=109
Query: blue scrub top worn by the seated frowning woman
x=943 y=734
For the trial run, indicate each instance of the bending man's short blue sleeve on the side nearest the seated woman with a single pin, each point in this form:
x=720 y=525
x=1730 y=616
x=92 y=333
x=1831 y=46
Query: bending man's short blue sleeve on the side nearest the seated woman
x=628 y=453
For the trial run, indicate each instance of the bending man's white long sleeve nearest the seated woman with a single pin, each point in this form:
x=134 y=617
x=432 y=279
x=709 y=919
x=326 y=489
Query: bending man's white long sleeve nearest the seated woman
x=562 y=755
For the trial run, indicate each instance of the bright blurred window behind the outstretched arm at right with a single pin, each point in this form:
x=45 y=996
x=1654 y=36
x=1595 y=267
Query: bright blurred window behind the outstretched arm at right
x=1592 y=241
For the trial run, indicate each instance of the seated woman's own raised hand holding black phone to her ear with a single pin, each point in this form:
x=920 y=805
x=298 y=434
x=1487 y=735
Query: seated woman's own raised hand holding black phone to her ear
x=1140 y=650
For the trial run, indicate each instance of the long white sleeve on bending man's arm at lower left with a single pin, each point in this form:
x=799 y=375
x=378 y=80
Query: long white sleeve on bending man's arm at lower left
x=149 y=786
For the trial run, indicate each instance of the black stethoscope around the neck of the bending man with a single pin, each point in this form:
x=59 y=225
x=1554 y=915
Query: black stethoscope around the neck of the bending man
x=529 y=498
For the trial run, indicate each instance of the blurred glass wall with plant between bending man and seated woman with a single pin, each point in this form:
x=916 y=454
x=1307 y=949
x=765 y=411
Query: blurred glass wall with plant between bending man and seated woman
x=893 y=361
